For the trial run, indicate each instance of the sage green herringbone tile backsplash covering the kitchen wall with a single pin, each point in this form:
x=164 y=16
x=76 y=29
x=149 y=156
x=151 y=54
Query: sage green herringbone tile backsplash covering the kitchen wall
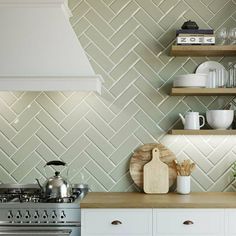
x=128 y=43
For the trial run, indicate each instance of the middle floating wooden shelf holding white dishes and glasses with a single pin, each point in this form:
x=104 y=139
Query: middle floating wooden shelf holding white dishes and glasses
x=203 y=91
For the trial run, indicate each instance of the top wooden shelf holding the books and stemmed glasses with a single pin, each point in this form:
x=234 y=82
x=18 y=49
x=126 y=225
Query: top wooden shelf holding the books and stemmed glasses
x=203 y=50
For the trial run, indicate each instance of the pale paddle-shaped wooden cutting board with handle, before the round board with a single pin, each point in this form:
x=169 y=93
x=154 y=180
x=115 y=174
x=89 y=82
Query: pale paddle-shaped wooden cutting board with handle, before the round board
x=155 y=175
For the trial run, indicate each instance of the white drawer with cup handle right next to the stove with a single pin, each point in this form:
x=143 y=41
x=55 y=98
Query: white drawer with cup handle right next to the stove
x=116 y=222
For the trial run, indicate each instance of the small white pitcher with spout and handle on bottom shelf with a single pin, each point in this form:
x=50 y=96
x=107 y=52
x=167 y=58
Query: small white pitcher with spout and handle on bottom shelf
x=192 y=120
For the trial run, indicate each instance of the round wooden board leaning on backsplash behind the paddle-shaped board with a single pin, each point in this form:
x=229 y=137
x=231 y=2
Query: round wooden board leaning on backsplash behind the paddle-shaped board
x=143 y=155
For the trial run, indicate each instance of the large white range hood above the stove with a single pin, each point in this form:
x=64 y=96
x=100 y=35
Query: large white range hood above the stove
x=39 y=50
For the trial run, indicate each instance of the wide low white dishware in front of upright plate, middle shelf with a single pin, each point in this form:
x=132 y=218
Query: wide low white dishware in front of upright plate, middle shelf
x=190 y=80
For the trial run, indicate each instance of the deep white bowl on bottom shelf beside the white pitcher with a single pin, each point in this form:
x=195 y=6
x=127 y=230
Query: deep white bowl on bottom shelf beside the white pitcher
x=220 y=119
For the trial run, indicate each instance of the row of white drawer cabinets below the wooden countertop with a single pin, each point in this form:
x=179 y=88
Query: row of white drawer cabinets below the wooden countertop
x=158 y=222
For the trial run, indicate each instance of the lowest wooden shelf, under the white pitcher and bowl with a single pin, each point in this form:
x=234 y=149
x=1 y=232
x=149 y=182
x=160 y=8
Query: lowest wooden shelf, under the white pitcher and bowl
x=202 y=132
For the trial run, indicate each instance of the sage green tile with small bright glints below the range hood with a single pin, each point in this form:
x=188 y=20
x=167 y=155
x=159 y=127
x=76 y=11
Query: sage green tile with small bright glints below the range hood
x=21 y=120
